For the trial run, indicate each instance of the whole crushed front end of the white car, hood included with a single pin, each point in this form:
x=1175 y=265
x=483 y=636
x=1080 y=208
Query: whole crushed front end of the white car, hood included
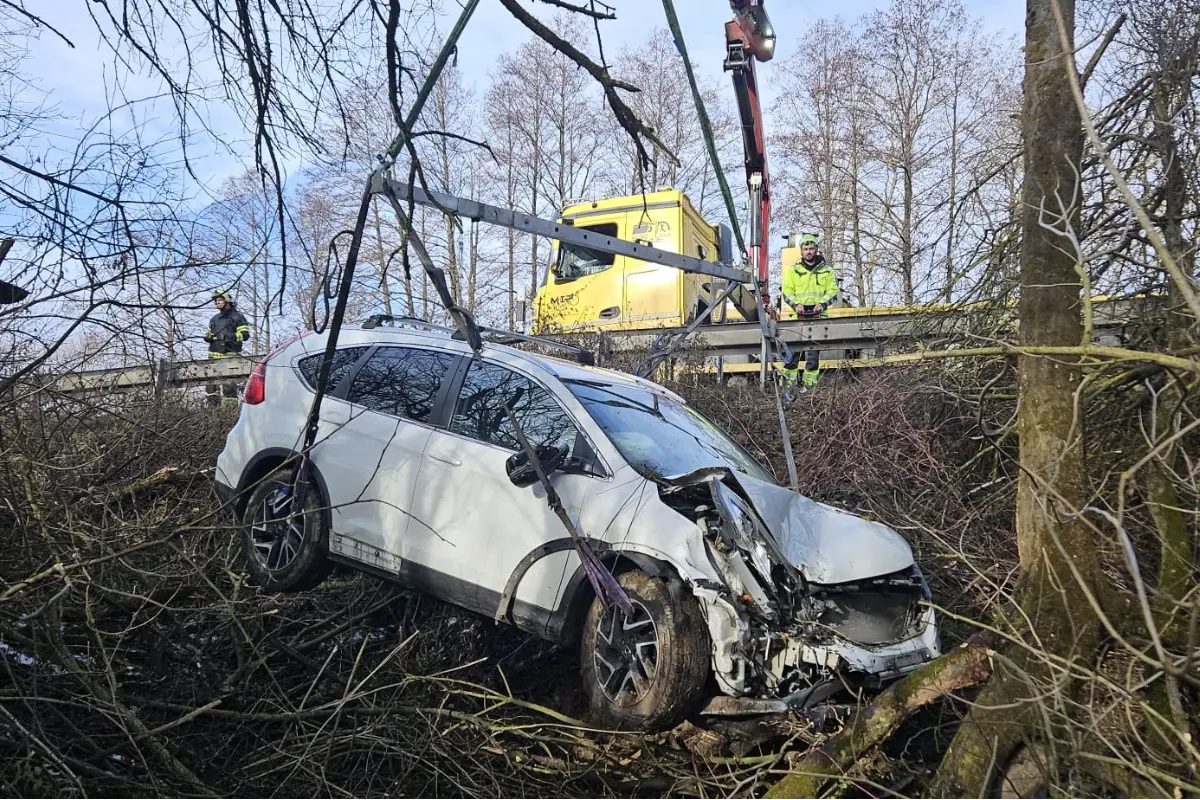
x=811 y=600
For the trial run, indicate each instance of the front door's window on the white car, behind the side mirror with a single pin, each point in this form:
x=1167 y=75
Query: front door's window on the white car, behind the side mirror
x=481 y=412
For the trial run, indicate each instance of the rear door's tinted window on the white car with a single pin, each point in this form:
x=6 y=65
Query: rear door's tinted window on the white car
x=403 y=382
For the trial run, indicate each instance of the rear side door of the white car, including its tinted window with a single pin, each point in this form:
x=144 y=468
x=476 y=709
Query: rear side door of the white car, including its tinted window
x=375 y=454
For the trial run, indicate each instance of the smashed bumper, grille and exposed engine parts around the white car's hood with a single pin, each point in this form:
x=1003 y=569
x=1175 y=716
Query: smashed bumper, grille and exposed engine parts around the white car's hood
x=776 y=633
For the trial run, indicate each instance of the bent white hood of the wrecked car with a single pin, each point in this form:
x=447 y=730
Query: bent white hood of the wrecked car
x=829 y=546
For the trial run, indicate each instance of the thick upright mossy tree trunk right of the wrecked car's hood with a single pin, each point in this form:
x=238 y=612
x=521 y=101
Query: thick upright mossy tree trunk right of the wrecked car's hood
x=1051 y=315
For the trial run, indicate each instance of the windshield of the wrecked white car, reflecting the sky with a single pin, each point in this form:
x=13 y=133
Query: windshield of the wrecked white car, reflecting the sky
x=661 y=435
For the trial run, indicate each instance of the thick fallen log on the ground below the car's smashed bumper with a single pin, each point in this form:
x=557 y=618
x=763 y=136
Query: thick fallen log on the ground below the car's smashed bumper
x=962 y=669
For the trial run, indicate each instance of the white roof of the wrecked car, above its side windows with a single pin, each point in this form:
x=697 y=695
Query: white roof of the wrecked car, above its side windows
x=562 y=369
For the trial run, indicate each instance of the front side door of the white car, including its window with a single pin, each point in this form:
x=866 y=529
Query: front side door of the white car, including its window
x=478 y=526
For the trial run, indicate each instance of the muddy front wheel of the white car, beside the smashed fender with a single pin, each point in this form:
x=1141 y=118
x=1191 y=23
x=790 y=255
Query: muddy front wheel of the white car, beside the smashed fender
x=650 y=671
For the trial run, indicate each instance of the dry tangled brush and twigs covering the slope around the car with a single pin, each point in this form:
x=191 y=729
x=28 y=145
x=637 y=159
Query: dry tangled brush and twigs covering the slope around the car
x=139 y=661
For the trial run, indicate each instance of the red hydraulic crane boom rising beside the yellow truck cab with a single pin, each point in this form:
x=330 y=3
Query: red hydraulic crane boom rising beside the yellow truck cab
x=749 y=38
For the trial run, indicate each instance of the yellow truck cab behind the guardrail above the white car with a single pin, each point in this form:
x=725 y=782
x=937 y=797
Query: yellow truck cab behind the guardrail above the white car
x=589 y=290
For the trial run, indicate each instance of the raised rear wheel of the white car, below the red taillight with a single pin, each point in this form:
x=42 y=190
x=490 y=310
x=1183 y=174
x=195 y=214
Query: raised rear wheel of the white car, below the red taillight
x=284 y=557
